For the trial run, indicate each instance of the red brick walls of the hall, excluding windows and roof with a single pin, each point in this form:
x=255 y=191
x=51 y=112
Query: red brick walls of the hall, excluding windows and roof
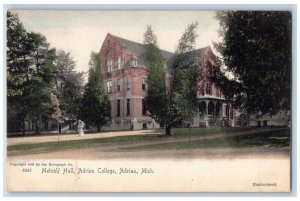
x=113 y=50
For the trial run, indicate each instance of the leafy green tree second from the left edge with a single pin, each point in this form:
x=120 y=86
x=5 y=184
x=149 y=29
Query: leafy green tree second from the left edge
x=43 y=72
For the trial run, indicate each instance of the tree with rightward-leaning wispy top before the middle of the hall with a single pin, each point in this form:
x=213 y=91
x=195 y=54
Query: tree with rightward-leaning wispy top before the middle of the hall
x=181 y=99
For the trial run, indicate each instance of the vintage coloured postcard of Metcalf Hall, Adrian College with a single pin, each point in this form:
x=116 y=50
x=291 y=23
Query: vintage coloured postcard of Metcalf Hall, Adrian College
x=148 y=101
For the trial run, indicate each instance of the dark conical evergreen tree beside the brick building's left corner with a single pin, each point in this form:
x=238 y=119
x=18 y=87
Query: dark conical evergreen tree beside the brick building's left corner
x=95 y=109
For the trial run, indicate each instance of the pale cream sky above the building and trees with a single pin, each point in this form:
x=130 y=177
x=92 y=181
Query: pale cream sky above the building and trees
x=81 y=32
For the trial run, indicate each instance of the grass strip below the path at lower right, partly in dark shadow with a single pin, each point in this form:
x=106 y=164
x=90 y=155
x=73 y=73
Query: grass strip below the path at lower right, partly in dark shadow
x=269 y=139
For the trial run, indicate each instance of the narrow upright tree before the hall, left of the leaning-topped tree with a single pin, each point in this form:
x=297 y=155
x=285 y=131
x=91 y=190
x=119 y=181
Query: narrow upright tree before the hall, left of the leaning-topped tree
x=156 y=91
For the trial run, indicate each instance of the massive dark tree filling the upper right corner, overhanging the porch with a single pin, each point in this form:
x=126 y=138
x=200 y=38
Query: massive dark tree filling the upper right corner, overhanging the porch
x=256 y=49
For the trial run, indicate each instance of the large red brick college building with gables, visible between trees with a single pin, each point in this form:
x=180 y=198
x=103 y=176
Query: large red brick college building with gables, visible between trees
x=124 y=69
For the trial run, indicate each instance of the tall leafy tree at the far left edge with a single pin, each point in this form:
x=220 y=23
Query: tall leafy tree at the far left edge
x=18 y=62
